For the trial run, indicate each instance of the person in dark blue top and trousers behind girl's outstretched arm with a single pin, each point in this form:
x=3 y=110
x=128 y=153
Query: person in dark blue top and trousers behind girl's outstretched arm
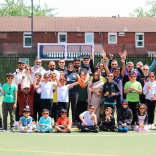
x=73 y=92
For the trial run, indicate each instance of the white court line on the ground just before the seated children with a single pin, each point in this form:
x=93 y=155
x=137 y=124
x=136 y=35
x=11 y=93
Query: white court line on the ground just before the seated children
x=71 y=135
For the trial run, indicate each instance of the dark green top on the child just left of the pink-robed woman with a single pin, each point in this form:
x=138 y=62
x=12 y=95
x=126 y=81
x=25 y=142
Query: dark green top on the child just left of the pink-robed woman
x=83 y=95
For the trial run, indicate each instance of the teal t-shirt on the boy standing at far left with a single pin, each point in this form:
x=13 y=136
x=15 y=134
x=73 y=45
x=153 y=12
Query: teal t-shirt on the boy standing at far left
x=9 y=96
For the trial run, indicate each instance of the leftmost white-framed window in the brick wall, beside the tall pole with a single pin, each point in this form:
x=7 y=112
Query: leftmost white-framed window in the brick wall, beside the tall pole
x=27 y=40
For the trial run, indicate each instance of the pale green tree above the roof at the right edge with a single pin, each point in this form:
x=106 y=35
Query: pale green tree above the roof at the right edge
x=139 y=12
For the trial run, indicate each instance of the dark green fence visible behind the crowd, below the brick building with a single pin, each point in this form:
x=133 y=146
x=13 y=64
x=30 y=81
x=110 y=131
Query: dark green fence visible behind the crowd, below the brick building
x=8 y=62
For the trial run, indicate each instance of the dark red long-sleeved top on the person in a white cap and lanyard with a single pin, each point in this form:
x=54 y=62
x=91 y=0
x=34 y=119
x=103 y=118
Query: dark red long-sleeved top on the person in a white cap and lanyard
x=21 y=99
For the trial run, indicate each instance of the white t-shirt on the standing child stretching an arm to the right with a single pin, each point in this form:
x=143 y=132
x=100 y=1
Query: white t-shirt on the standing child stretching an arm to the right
x=62 y=94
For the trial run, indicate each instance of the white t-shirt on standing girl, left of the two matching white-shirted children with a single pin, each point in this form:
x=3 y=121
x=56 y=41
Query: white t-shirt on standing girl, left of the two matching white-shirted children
x=46 y=90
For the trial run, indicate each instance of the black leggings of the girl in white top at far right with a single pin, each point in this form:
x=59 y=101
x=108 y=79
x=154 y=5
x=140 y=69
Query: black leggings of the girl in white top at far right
x=150 y=110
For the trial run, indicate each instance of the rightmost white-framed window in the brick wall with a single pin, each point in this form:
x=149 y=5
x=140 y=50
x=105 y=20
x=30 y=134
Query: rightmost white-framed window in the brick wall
x=139 y=40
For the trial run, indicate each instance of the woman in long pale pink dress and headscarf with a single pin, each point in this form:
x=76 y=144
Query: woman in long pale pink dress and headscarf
x=94 y=93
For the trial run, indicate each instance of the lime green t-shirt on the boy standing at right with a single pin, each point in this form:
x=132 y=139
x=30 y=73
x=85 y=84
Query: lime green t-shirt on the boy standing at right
x=132 y=96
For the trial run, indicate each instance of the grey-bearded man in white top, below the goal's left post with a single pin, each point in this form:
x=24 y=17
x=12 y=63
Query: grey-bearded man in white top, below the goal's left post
x=37 y=68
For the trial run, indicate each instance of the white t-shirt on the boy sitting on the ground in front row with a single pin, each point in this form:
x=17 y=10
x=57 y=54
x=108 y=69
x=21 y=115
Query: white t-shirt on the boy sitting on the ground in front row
x=88 y=118
